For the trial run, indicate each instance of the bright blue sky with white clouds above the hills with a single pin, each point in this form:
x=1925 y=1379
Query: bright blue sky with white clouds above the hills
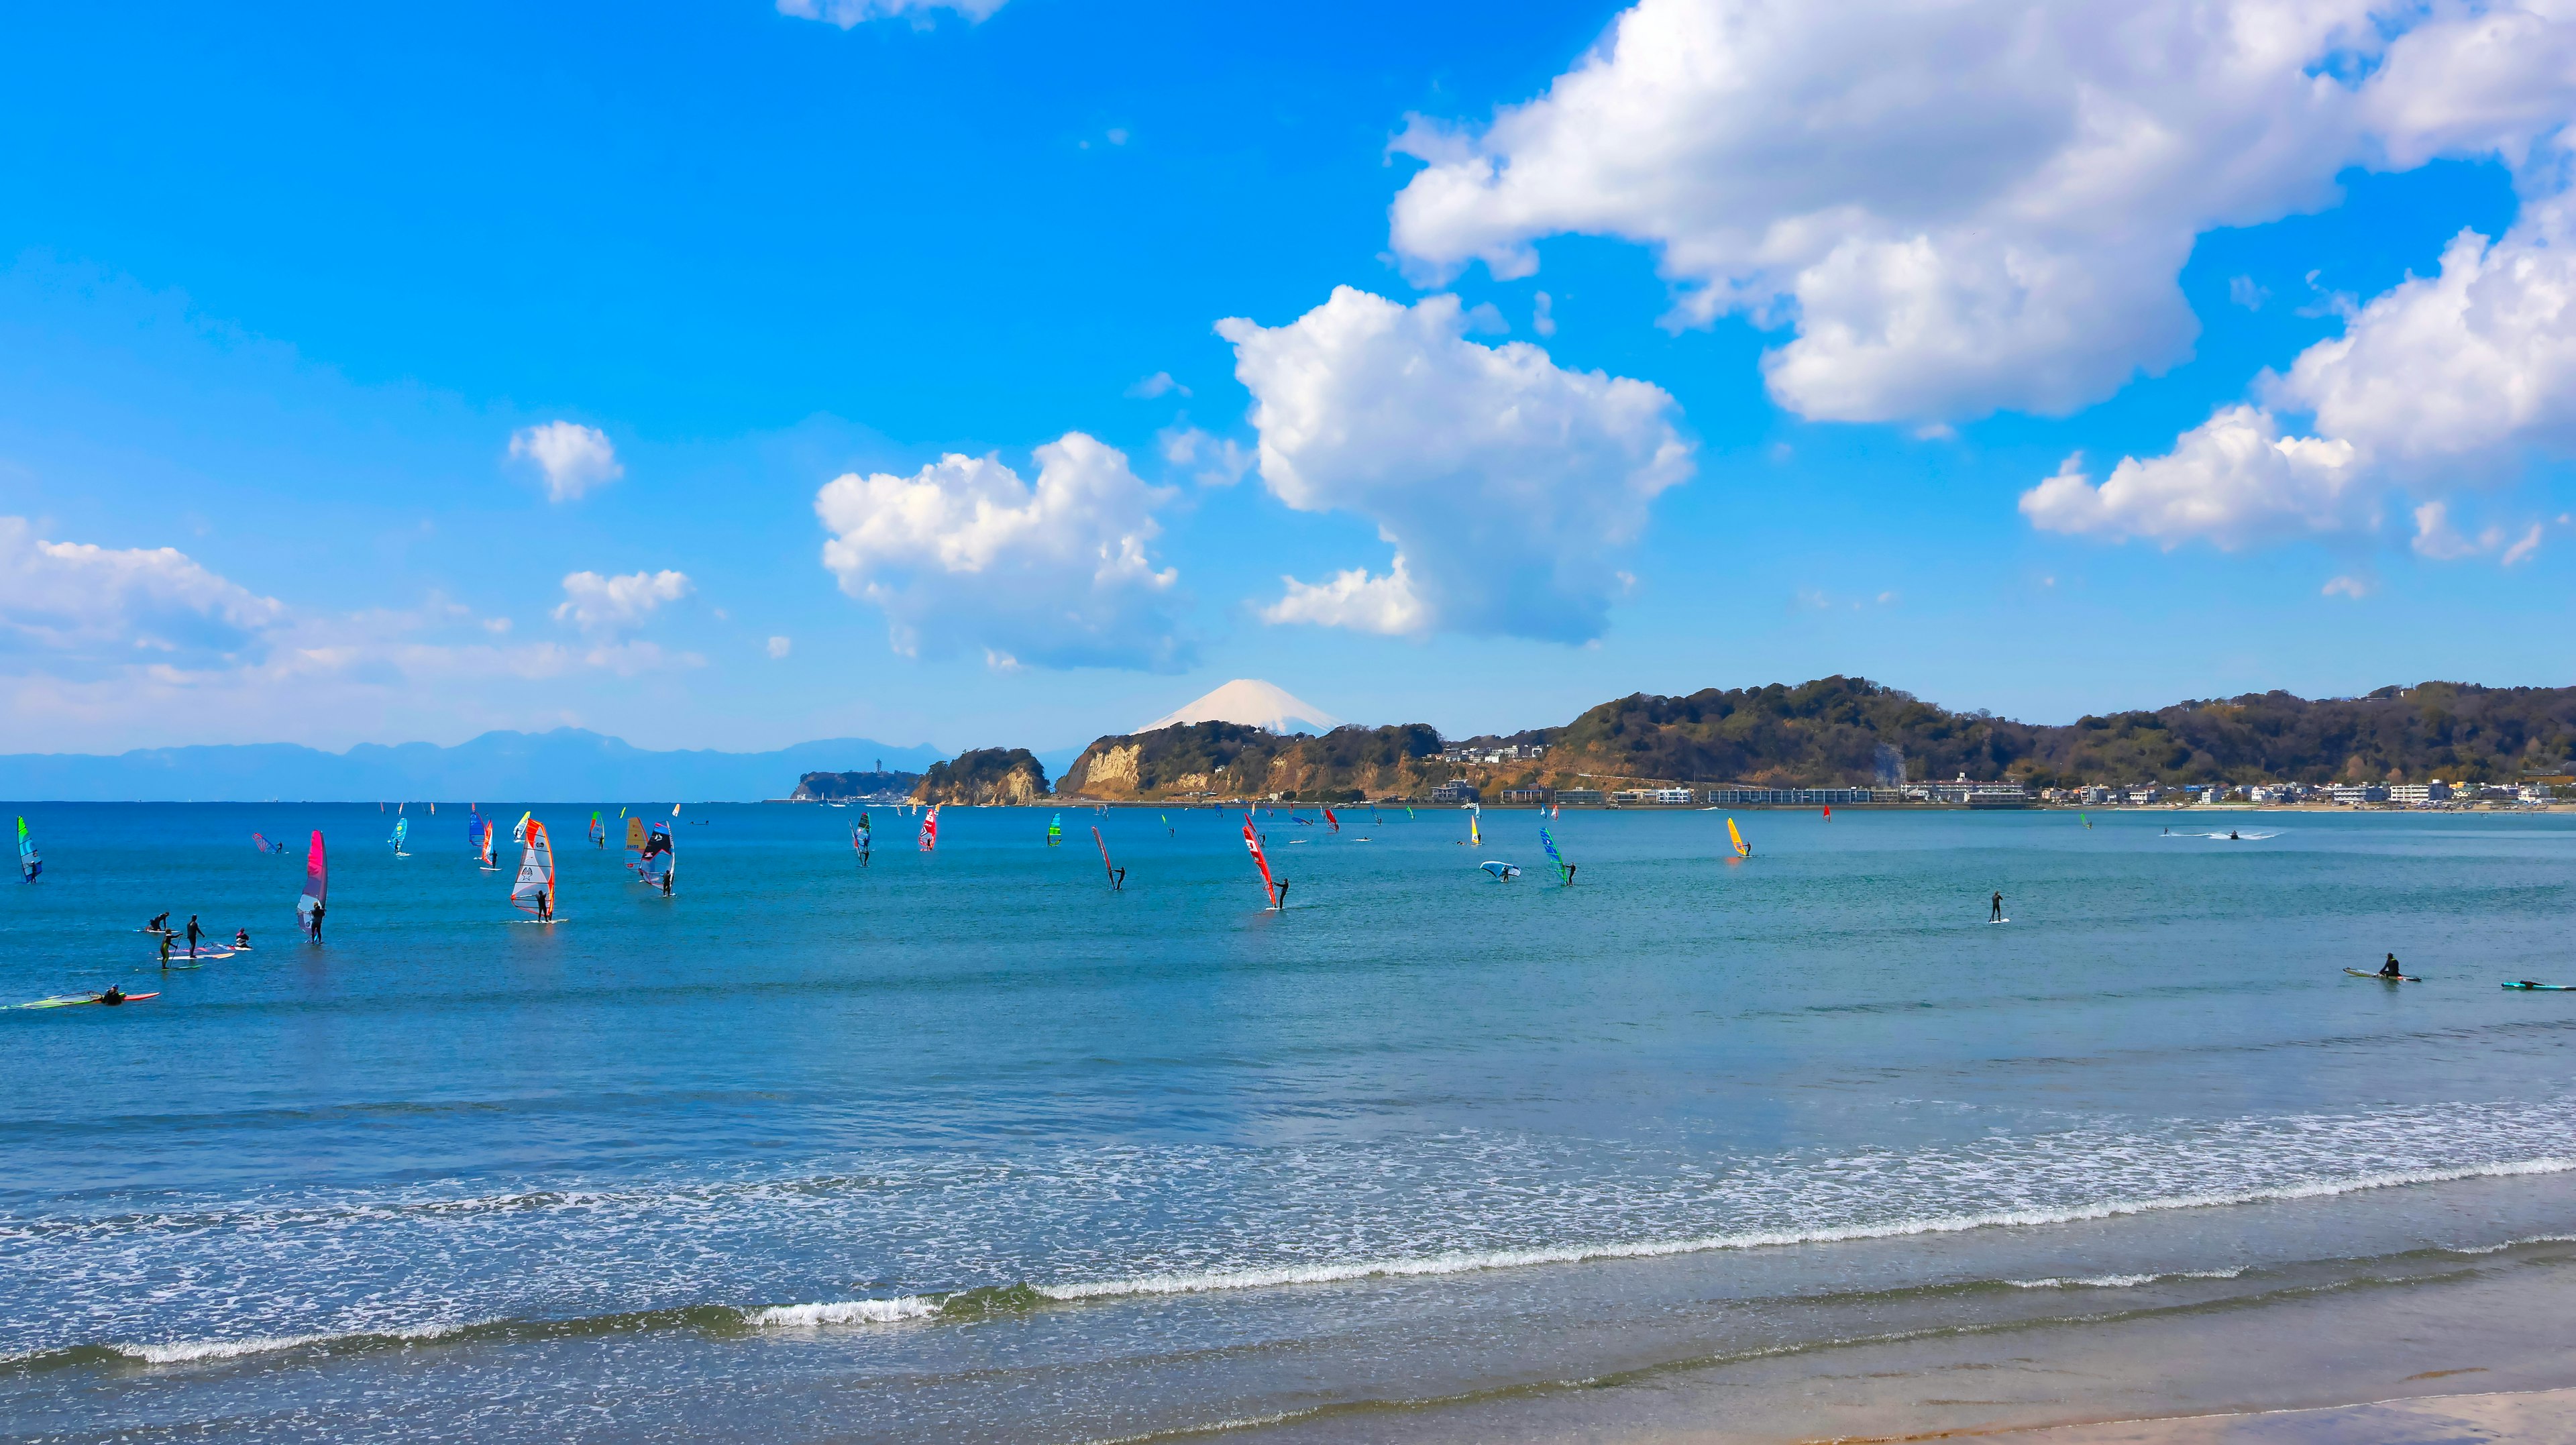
x=1011 y=372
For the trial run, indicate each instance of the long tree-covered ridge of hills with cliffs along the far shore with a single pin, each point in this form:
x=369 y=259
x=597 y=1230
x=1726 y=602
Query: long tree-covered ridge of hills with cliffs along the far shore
x=1853 y=733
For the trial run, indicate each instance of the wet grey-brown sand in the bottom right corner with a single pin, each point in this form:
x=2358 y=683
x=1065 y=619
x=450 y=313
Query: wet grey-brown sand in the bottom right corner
x=2472 y=1354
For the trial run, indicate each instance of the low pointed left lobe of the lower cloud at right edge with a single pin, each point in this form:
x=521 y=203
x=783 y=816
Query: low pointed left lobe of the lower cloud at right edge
x=2232 y=480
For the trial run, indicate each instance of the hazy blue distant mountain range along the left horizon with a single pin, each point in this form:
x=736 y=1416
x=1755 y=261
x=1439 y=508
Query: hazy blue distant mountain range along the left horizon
x=563 y=766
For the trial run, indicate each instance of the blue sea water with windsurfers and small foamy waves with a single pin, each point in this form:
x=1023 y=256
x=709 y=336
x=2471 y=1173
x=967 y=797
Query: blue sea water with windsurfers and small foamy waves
x=965 y=1142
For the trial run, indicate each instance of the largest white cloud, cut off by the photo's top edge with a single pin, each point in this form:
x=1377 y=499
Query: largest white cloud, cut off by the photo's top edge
x=1972 y=205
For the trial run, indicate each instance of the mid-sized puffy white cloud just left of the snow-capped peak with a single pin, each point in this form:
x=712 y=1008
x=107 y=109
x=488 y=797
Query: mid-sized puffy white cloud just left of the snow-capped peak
x=965 y=555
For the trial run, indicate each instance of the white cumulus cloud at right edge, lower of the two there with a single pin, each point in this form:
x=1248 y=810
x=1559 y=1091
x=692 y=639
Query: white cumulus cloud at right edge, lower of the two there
x=2441 y=382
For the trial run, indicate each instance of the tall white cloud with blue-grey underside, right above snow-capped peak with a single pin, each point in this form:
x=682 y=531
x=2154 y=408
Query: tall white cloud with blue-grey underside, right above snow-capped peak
x=1506 y=483
